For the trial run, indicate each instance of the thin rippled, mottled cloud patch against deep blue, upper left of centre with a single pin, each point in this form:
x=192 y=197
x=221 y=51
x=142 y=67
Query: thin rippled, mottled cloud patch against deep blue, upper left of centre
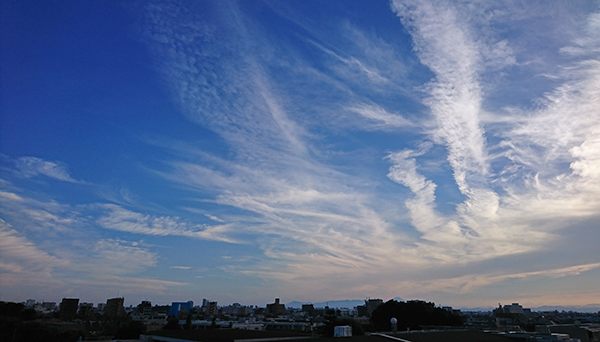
x=245 y=109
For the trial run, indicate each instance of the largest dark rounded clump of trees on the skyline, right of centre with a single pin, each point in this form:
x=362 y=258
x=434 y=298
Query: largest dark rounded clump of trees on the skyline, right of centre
x=413 y=315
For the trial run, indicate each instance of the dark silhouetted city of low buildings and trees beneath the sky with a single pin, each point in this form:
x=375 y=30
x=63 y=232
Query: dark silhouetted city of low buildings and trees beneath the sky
x=374 y=320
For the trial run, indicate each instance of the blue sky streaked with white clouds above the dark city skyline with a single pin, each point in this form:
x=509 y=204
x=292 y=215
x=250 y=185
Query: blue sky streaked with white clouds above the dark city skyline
x=447 y=151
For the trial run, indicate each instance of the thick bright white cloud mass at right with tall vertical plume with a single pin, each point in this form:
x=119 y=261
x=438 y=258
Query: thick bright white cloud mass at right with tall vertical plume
x=445 y=43
